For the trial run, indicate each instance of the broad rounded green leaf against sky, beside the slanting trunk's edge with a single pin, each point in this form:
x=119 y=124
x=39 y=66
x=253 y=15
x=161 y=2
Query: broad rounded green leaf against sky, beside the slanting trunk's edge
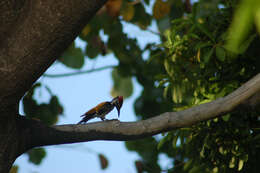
x=73 y=57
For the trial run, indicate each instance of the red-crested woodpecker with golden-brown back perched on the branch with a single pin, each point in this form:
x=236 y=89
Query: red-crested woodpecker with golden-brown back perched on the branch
x=102 y=109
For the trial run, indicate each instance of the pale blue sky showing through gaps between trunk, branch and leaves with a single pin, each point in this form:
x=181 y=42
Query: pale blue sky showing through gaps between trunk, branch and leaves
x=77 y=94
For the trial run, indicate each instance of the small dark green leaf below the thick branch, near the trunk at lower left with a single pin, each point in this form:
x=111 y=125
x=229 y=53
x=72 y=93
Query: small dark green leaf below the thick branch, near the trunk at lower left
x=36 y=155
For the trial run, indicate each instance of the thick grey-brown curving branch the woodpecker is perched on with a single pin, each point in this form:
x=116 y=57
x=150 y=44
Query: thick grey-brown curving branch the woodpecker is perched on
x=121 y=131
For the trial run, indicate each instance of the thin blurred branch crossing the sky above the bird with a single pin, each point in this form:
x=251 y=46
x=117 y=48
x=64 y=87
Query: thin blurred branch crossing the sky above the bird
x=79 y=72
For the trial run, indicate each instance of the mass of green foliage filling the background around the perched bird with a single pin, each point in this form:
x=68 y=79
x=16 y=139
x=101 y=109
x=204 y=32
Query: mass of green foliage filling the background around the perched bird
x=200 y=58
